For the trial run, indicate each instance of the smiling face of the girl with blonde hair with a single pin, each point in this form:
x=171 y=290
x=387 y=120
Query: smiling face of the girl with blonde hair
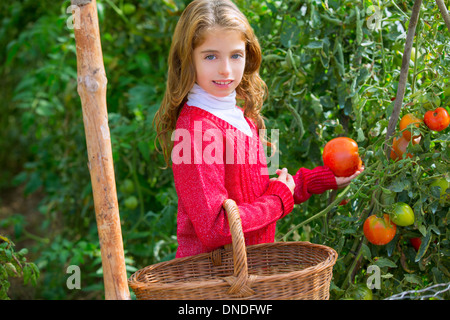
x=220 y=61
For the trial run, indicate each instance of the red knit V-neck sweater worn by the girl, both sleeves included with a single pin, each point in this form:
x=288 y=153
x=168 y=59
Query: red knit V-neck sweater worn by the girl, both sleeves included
x=213 y=161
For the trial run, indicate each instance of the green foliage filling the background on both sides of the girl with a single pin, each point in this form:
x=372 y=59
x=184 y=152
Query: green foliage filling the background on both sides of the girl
x=328 y=74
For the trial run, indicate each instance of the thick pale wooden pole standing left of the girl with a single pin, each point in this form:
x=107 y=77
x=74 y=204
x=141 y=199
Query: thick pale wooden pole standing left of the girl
x=92 y=90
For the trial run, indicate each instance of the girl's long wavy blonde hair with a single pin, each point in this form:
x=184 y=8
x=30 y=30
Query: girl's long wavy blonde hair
x=199 y=17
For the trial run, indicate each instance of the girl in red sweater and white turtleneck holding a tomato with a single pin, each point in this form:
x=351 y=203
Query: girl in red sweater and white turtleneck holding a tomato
x=214 y=146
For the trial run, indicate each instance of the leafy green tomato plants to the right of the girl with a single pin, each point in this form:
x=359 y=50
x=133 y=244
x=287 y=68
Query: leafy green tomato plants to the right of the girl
x=349 y=91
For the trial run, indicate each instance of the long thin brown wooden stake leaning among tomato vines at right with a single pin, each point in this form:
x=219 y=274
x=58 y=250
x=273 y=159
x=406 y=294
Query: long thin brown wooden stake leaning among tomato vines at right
x=403 y=74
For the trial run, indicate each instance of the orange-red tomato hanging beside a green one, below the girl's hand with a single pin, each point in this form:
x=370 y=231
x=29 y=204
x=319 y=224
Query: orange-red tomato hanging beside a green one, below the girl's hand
x=379 y=231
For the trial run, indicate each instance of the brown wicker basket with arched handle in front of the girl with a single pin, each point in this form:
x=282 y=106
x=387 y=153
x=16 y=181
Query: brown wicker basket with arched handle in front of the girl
x=282 y=270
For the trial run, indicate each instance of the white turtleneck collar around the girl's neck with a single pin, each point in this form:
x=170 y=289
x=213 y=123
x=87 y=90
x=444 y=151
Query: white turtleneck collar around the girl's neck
x=222 y=107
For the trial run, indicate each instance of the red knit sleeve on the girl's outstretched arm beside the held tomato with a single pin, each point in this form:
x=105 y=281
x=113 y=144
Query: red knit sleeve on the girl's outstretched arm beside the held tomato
x=315 y=181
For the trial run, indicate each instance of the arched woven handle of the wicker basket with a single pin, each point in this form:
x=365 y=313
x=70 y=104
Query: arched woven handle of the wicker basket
x=240 y=281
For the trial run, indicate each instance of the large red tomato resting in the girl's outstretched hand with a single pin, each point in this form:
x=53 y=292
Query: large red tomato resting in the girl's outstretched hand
x=341 y=156
